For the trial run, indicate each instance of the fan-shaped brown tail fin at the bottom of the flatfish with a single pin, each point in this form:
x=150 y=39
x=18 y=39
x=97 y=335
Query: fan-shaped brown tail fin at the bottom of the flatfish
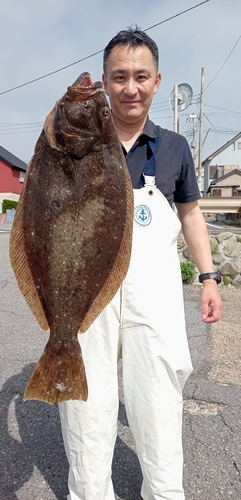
x=58 y=378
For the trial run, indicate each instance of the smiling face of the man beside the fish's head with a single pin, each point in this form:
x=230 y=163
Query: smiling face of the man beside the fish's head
x=130 y=81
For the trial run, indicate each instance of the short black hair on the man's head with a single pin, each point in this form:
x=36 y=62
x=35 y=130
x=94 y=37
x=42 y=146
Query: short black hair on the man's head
x=132 y=37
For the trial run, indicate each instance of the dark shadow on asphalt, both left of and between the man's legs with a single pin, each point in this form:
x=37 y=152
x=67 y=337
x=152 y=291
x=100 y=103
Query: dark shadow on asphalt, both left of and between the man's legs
x=31 y=436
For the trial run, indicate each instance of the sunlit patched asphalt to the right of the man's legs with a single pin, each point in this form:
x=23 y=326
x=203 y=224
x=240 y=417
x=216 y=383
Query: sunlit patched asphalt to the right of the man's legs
x=212 y=418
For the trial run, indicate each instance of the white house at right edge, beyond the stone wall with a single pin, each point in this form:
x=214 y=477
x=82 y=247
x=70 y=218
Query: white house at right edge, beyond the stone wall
x=221 y=170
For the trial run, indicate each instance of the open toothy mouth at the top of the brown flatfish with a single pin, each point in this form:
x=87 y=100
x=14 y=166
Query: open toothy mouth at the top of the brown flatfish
x=84 y=88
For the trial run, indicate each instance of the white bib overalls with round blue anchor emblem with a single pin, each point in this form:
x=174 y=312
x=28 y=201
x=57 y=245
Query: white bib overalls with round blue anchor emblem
x=145 y=321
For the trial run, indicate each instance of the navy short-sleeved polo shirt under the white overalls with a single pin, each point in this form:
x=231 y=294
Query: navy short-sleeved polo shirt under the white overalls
x=175 y=172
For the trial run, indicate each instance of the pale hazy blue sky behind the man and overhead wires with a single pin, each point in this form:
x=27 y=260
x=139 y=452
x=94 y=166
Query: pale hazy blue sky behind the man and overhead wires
x=41 y=36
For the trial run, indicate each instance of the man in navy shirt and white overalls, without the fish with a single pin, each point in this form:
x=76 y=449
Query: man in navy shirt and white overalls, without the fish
x=145 y=320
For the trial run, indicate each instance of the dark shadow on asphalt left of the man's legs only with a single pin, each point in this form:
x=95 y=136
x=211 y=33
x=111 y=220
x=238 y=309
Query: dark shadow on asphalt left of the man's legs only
x=38 y=442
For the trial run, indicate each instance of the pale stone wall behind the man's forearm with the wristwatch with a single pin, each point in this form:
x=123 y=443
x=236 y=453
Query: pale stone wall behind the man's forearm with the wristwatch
x=226 y=253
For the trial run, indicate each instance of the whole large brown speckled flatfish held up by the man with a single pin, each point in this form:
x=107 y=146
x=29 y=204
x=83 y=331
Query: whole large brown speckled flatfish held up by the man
x=71 y=239
